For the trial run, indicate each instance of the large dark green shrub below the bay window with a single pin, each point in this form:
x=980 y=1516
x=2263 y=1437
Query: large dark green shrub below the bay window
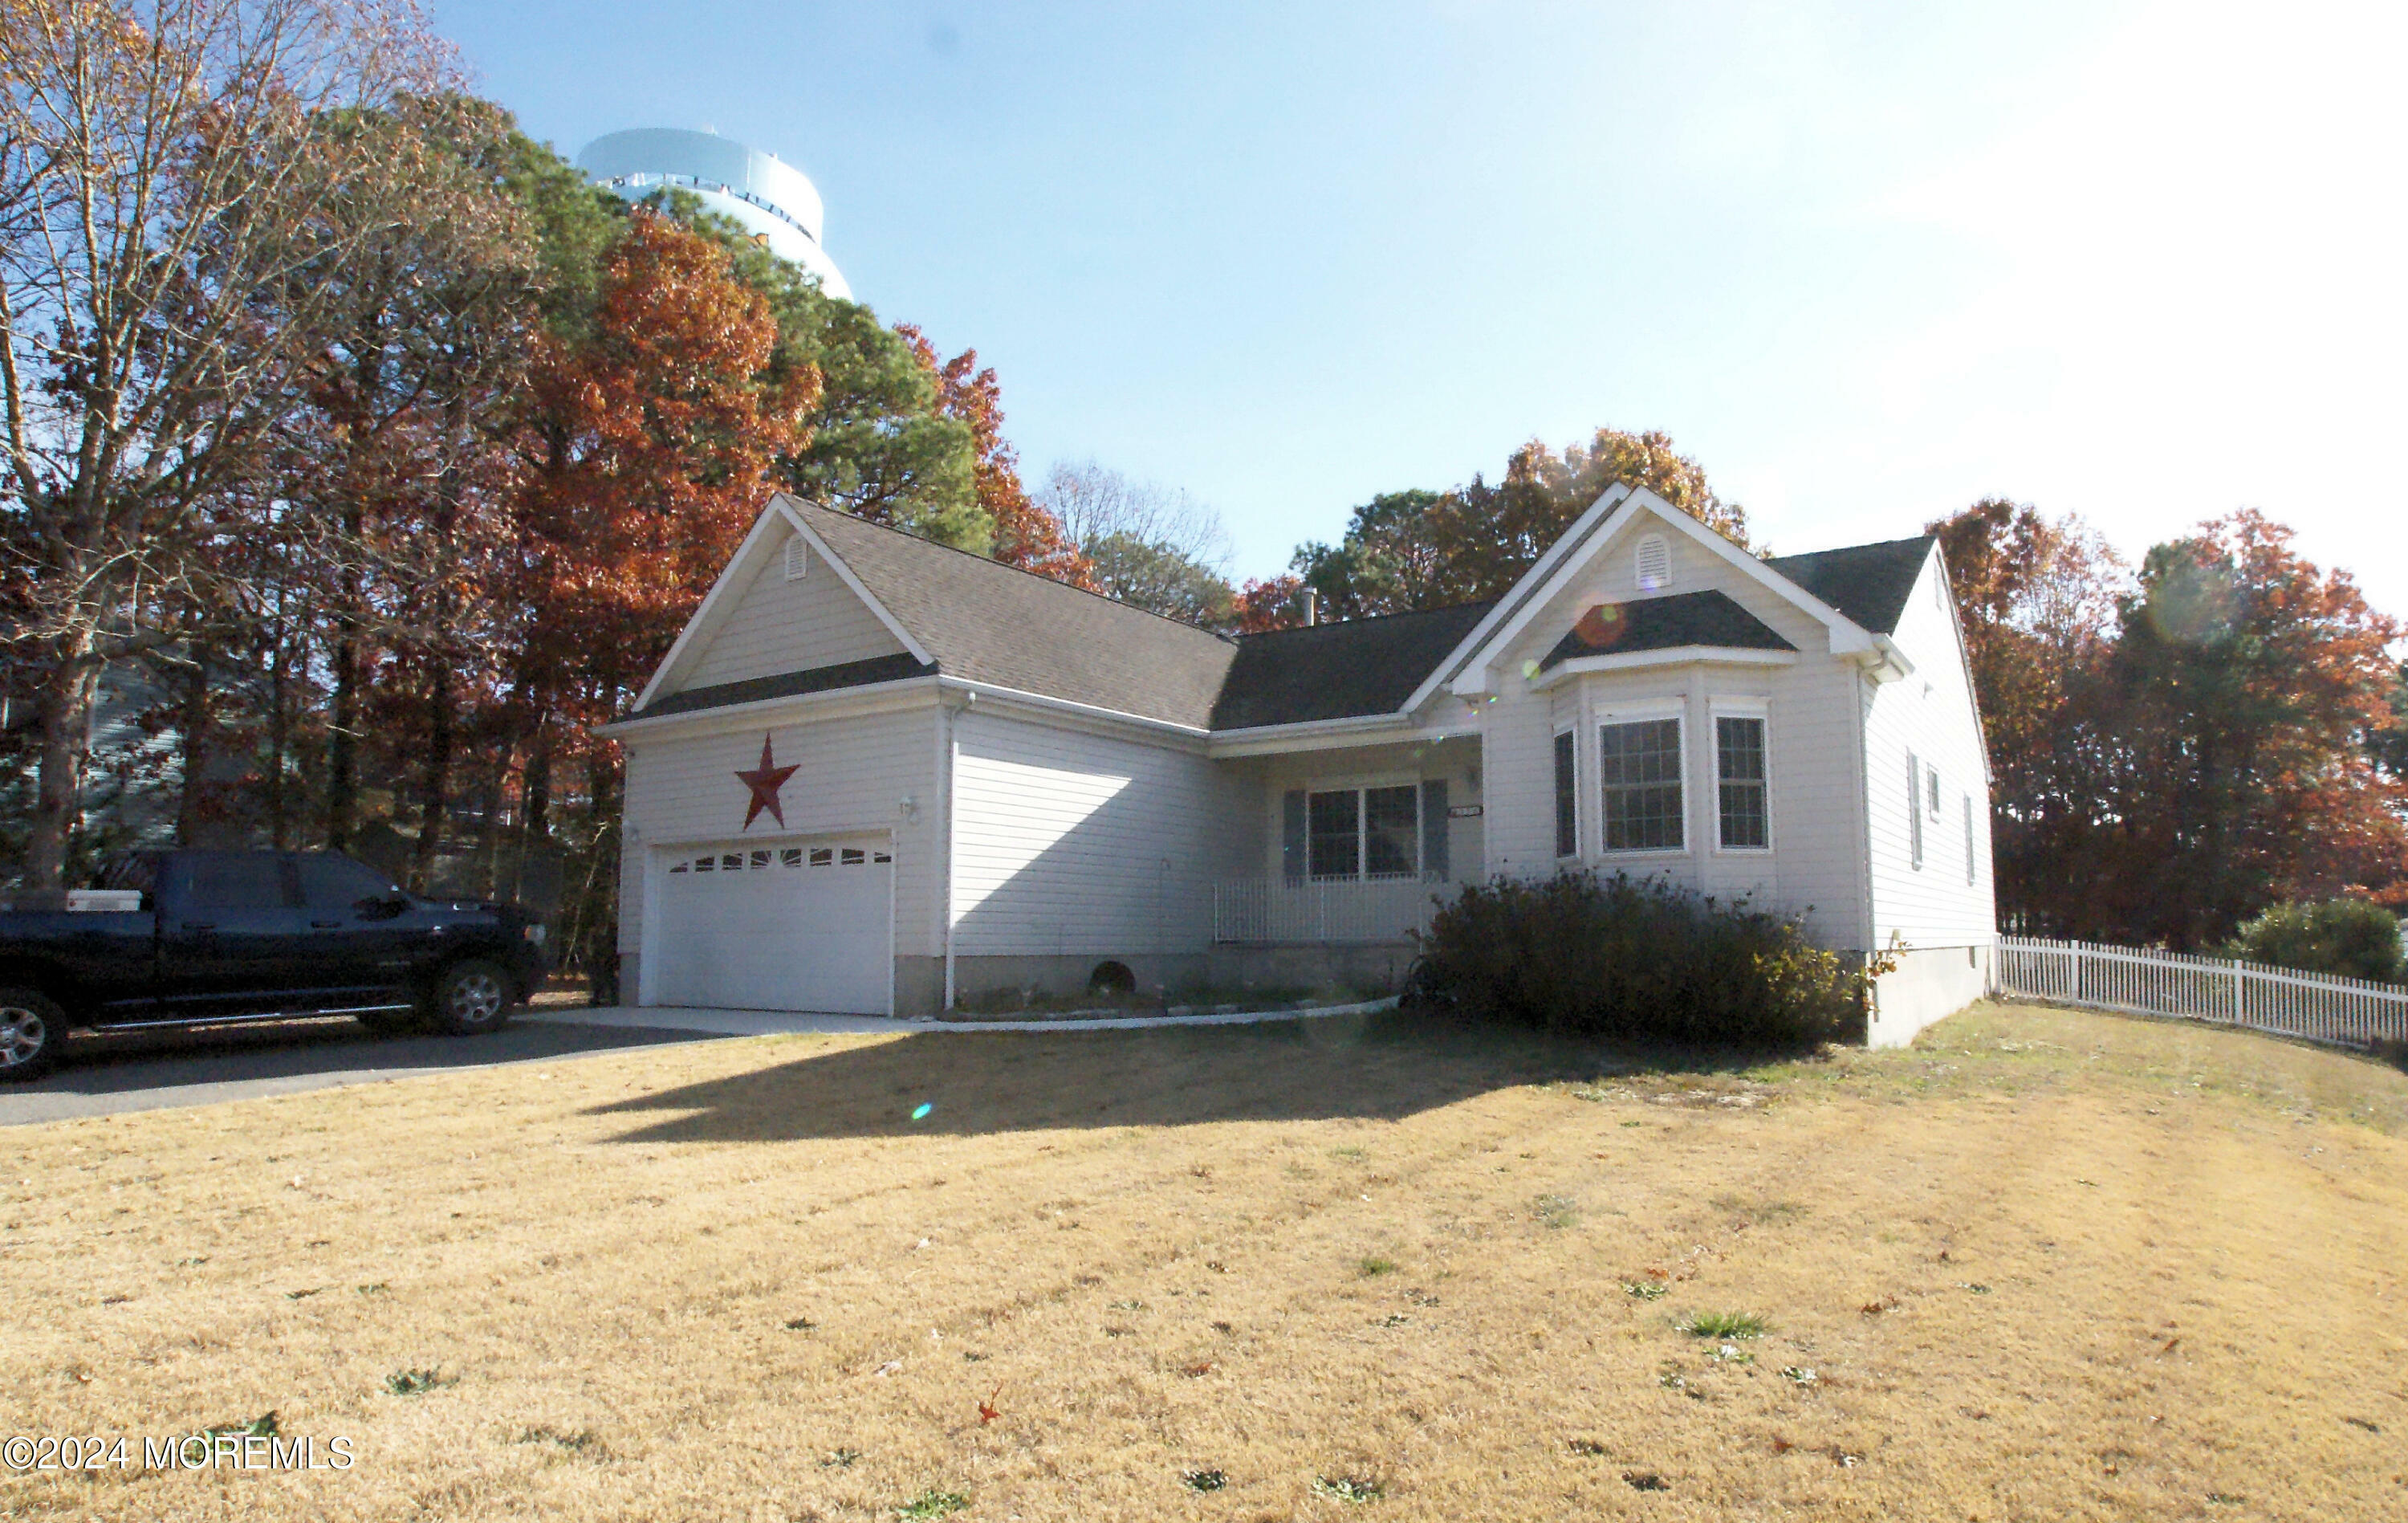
x=1634 y=958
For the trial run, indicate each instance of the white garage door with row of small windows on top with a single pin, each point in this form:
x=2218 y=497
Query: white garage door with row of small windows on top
x=774 y=929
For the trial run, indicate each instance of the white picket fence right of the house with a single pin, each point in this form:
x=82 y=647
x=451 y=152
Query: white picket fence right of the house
x=2236 y=994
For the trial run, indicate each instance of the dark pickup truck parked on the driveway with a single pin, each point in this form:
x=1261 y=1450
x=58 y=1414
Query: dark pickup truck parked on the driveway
x=182 y=939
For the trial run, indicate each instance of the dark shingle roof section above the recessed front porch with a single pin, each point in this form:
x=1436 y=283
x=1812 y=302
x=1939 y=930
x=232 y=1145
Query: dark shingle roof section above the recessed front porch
x=1338 y=671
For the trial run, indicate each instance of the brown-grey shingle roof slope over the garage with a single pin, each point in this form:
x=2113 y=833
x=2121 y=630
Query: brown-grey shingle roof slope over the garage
x=1027 y=633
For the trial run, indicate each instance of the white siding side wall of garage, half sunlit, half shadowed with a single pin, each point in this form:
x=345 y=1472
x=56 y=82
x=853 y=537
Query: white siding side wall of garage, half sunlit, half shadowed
x=1068 y=842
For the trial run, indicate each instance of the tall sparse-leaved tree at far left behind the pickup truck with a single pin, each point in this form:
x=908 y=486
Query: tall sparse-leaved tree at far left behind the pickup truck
x=160 y=165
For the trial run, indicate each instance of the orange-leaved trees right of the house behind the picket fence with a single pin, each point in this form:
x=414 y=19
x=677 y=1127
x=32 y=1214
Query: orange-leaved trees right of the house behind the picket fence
x=2176 y=753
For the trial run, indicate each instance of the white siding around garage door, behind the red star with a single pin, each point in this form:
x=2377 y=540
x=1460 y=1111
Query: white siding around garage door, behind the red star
x=851 y=780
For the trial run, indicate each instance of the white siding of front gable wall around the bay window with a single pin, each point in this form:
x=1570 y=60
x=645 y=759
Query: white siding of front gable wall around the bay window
x=1812 y=734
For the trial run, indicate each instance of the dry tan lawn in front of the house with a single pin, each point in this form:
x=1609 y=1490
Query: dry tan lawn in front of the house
x=2043 y=1266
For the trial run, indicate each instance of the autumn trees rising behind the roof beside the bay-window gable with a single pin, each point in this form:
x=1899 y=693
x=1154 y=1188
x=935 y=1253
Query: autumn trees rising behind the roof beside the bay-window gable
x=1407 y=551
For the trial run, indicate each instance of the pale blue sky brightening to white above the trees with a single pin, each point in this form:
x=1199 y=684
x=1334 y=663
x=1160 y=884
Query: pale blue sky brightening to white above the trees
x=1867 y=264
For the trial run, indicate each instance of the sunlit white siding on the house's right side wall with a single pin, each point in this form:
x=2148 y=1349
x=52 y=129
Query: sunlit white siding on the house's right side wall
x=1930 y=717
